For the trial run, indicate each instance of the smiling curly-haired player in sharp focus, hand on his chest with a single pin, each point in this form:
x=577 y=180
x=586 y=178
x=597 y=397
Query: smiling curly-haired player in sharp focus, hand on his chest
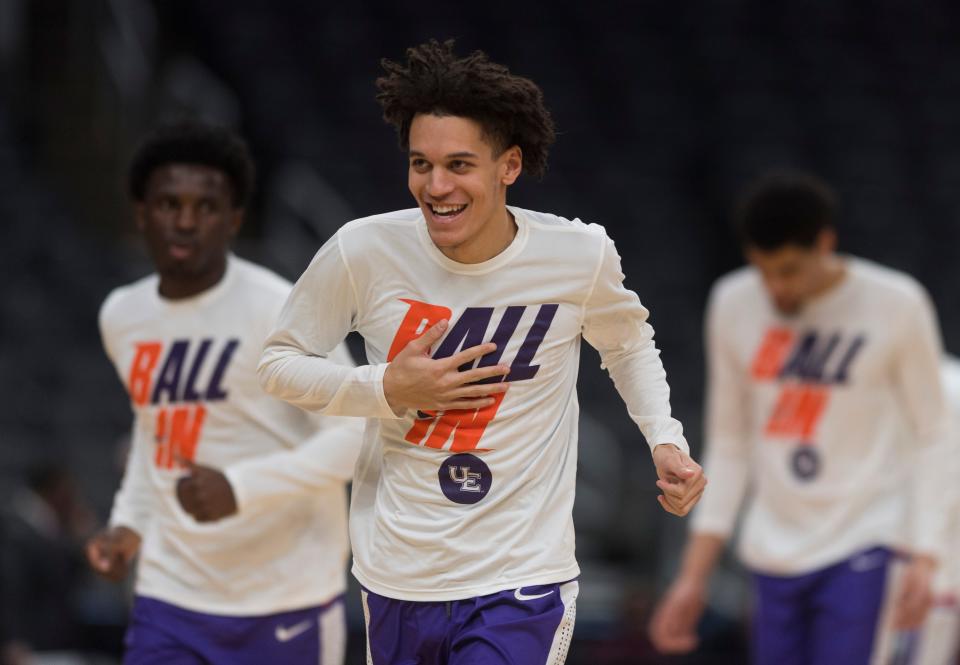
x=472 y=312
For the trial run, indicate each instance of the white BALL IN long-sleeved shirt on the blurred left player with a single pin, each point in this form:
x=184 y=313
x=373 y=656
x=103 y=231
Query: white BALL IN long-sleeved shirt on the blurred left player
x=189 y=366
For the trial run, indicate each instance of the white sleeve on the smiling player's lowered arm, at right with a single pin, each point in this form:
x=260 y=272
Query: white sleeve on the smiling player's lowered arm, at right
x=615 y=324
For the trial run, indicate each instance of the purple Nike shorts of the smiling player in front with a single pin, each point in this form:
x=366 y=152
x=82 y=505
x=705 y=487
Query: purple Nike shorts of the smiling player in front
x=526 y=626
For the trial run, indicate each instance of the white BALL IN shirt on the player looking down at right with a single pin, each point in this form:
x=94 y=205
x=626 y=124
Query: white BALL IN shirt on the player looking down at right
x=835 y=417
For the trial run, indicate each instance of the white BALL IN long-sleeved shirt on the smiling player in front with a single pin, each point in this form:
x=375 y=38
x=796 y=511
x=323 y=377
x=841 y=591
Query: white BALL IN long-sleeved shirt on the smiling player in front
x=465 y=503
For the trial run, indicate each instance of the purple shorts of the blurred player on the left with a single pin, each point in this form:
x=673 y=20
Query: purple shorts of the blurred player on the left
x=165 y=634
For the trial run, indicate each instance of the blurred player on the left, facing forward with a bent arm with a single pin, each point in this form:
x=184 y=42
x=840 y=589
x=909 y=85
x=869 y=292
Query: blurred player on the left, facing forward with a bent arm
x=263 y=585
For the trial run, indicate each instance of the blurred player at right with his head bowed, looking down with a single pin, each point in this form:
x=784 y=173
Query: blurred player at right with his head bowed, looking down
x=824 y=400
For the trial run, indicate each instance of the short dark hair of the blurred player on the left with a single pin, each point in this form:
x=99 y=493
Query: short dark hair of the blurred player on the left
x=194 y=142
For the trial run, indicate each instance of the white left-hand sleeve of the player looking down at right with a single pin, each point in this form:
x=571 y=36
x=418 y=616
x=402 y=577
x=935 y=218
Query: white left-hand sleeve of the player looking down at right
x=726 y=442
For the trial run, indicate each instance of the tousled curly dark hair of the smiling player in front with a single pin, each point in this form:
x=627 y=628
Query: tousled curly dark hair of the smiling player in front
x=434 y=80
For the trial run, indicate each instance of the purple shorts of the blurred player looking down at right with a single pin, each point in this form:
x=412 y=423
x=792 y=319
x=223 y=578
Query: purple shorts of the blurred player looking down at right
x=826 y=617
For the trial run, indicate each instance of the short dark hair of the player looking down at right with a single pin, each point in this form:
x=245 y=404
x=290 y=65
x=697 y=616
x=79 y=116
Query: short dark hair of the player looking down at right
x=783 y=208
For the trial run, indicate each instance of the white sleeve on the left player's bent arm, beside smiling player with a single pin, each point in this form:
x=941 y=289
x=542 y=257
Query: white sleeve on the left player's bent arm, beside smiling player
x=326 y=459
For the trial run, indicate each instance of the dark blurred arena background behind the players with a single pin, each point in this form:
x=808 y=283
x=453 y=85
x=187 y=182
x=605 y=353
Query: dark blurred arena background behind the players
x=664 y=111
